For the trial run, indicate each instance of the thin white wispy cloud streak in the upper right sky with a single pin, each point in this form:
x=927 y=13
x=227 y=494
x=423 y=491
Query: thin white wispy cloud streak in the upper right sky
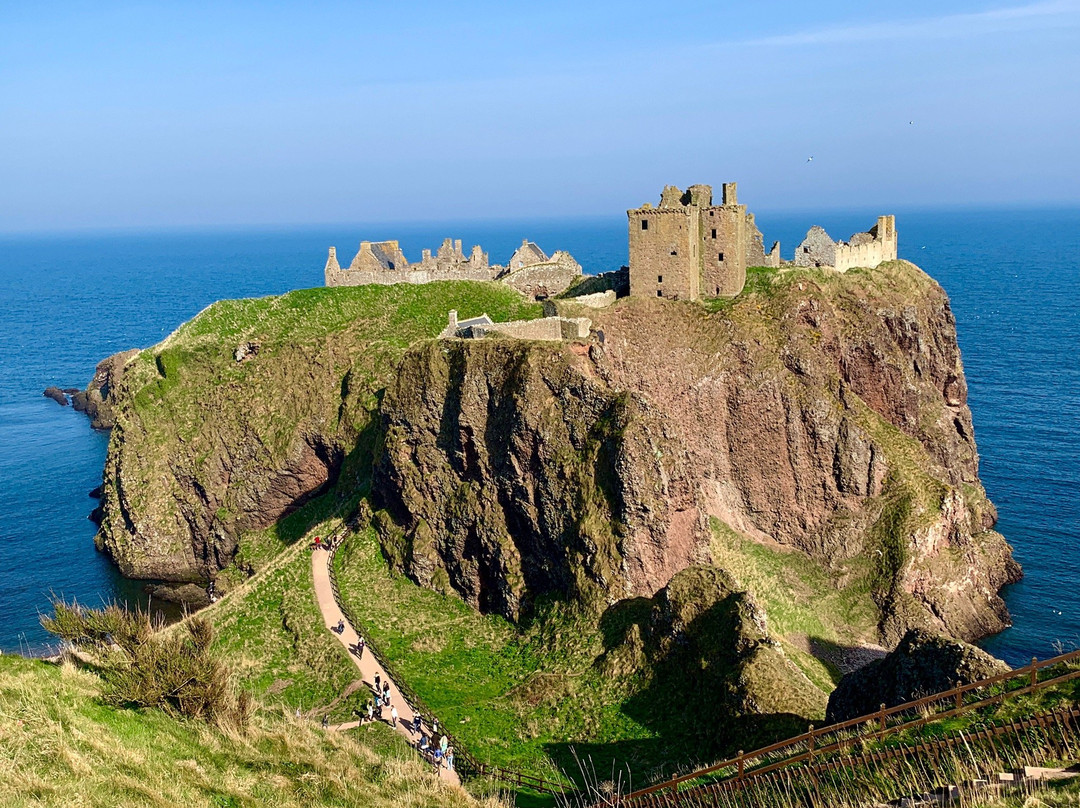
x=950 y=26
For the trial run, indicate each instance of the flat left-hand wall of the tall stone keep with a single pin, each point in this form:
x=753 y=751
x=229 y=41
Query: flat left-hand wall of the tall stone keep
x=665 y=260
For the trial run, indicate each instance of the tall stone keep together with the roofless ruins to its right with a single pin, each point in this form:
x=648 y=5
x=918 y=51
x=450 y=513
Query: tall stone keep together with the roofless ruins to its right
x=687 y=248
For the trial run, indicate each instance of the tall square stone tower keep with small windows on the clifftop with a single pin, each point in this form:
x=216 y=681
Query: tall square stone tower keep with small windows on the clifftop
x=687 y=248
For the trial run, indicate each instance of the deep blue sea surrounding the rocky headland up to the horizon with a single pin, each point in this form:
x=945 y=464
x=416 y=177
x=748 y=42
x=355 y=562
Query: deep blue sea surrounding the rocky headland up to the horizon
x=67 y=302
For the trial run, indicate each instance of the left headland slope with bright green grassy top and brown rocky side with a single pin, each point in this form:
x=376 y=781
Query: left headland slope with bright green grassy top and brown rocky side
x=250 y=411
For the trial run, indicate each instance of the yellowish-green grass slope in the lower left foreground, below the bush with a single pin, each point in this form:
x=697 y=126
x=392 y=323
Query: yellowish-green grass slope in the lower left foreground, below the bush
x=61 y=746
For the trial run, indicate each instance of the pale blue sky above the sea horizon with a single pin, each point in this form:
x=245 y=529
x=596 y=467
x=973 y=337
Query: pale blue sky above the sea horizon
x=152 y=115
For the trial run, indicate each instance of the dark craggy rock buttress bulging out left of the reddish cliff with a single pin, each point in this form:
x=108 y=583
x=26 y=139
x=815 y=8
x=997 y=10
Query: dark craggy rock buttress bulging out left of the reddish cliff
x=510 y=472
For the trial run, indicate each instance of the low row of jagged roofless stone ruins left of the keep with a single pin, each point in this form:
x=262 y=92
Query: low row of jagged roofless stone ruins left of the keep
x=530 y=271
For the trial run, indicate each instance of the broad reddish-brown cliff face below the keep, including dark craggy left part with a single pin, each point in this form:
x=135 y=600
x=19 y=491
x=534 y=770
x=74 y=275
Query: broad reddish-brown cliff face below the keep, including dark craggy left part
x=821 y=412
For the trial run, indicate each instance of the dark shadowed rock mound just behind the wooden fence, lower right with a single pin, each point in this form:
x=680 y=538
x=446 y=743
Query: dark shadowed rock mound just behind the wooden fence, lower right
x=923 y=665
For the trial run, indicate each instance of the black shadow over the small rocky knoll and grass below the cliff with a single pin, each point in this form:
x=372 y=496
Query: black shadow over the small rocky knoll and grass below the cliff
x=695 y=698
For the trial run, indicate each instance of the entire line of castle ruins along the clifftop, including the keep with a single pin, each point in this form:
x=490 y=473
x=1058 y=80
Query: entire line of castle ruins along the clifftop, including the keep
x=685 y=249
